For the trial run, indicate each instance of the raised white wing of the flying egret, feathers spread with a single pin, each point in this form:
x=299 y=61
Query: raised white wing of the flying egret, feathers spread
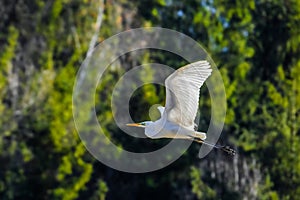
x=182 y=92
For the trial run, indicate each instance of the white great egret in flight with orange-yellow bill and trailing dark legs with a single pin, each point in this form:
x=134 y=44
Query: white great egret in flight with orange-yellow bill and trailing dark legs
x=179 y=113
